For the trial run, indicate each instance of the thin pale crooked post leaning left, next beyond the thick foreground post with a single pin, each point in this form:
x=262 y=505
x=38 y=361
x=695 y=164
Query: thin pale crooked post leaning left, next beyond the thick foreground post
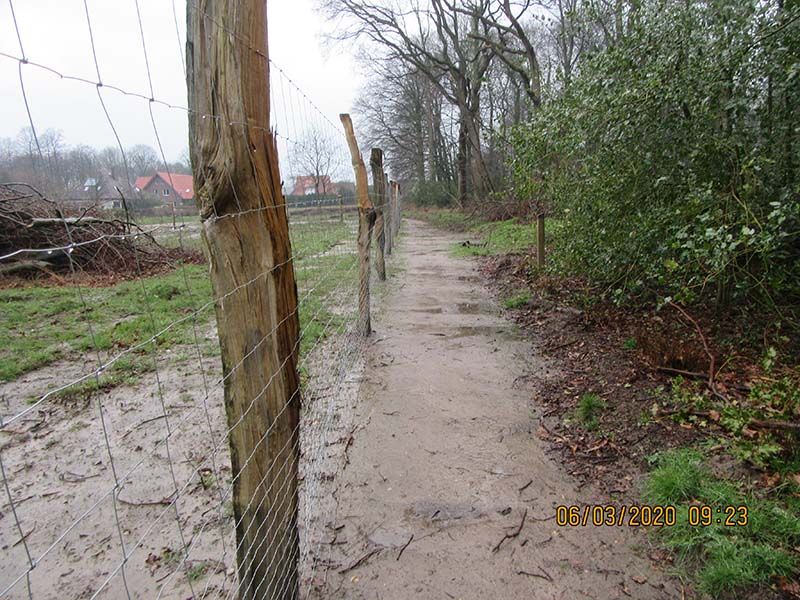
x=366 y=220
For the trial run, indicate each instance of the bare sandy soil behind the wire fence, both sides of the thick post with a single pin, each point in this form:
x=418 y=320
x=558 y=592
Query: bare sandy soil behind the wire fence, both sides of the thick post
x=61 y=478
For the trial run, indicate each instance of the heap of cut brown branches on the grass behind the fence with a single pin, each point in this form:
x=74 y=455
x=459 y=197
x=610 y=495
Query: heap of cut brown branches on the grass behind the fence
x=37 y=236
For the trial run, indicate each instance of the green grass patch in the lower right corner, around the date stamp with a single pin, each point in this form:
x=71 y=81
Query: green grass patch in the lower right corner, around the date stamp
x=727 y=561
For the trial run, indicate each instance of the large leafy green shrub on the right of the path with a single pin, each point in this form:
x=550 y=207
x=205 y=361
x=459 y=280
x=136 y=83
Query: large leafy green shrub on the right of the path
x=668 y=162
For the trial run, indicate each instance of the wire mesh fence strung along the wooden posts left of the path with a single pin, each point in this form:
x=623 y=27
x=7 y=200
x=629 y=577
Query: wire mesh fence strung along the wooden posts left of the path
x=116 y=422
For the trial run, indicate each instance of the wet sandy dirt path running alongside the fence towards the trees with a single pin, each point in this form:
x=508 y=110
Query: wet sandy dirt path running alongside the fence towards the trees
x=444 y=448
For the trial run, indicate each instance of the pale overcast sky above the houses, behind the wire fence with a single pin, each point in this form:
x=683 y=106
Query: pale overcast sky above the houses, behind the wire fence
x=55 y=34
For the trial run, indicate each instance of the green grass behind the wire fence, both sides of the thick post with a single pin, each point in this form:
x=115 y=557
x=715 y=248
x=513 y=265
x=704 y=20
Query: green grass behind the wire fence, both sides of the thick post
x=42 y=324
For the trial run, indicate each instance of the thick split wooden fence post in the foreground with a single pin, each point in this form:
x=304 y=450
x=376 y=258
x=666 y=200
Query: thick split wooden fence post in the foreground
x=246 y=234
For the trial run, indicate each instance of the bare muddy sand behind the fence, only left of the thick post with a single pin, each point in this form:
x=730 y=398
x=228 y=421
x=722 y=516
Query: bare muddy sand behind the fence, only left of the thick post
x=62 y=478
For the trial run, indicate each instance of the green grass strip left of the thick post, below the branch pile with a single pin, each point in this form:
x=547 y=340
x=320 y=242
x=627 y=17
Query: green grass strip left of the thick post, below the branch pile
x=43 y=324
